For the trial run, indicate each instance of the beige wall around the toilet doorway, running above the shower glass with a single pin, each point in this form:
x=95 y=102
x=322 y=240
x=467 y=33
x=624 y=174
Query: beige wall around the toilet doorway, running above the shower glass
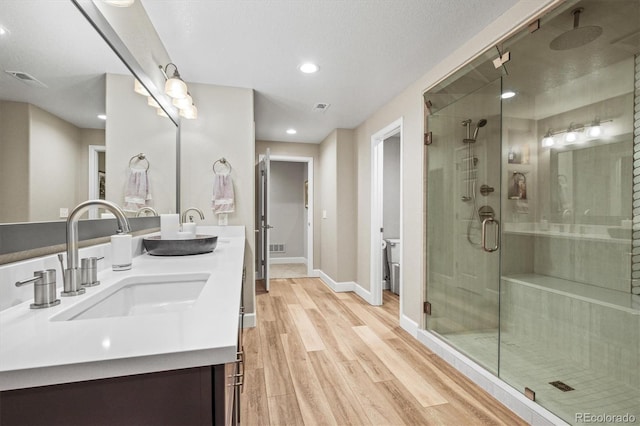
x=409 y=106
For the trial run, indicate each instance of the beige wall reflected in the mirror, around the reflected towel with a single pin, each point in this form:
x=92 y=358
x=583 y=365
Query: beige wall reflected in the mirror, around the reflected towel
x=133 y=127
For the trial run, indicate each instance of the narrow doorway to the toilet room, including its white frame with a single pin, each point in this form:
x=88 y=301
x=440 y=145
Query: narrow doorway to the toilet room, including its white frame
x=386 y=213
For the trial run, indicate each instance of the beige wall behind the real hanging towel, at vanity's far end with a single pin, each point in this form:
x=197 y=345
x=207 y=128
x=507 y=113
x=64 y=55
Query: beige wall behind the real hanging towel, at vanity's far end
x=224 y=128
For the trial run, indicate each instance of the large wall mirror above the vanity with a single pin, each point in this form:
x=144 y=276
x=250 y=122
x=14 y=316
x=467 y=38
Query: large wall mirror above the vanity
x=58 y=75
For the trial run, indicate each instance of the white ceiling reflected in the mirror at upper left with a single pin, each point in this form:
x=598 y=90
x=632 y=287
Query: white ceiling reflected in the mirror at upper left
x=65 y=54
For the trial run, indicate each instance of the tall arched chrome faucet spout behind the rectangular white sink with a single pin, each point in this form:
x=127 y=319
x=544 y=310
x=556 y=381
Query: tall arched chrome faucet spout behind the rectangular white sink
x=72 y=274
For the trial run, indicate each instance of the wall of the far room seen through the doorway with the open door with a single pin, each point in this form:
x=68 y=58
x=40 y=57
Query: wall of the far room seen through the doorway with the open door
x=287 y=207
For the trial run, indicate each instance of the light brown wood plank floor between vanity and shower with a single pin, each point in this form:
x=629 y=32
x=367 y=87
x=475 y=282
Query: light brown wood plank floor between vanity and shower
x=322 y=358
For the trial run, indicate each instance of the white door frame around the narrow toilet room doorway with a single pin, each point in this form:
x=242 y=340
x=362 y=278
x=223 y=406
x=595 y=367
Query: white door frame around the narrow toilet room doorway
x=377 y=163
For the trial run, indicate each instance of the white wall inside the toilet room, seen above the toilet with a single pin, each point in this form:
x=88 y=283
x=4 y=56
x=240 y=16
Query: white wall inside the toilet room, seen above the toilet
x=391 y=188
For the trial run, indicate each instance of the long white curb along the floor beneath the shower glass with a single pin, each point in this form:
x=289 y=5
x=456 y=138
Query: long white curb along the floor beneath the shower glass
x=532 y=413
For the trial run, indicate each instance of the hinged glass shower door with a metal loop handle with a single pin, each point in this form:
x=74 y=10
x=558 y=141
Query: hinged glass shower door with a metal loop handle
x=463 y=192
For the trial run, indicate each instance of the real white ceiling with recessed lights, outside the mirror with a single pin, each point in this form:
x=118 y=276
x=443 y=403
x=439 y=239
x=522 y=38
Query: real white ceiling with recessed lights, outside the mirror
x=368 y=52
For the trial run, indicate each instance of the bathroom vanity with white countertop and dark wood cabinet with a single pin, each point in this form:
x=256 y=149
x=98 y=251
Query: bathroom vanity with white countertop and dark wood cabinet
x=158 y=344
